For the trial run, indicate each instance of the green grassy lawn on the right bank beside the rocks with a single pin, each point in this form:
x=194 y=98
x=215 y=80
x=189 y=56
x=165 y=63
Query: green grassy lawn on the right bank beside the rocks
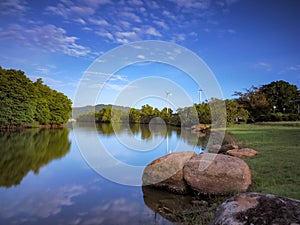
x=276 y=169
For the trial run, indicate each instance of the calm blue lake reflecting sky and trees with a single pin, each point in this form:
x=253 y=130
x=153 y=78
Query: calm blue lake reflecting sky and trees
x=58 y=176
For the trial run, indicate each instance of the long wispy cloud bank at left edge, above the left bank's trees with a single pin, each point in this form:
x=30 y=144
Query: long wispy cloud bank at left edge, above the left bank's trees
x=48 y=37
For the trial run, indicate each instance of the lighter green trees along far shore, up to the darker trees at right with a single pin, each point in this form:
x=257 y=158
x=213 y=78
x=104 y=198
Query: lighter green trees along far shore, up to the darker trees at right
x=188 y=116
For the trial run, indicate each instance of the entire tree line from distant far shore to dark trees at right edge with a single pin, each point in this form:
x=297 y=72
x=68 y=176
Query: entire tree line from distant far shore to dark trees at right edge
x=270 y=102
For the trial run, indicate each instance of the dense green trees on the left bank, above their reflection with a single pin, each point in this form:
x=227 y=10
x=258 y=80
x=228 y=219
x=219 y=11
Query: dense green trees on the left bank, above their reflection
x=25 y=103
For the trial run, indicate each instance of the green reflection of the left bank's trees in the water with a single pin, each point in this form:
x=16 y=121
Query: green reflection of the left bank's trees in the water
x=29 y=150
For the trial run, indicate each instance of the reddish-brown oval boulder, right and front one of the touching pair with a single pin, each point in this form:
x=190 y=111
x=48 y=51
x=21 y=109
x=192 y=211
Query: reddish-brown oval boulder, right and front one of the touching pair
x=210 y=173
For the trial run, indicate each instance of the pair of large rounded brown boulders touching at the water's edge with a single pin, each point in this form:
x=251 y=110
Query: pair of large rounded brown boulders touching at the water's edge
x=207 y=173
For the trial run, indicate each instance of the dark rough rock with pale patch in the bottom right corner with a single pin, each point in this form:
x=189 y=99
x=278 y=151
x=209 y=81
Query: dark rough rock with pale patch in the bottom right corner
x=255 y=208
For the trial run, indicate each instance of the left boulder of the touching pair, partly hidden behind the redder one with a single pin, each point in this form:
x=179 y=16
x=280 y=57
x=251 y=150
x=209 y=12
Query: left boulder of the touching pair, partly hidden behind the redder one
x=167 y=172
